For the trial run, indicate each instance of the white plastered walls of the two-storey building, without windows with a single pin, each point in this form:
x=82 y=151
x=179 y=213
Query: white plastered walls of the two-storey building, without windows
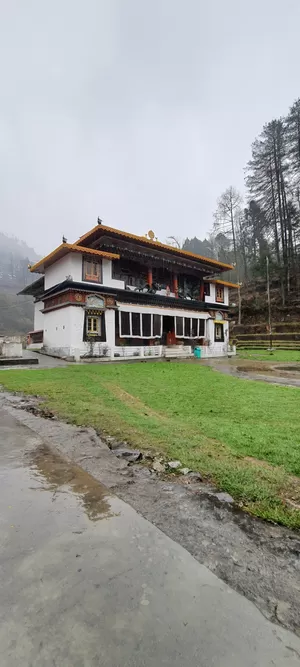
x=64 y=326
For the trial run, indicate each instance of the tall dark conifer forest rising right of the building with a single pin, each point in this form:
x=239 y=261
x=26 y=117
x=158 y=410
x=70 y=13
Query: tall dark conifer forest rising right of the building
x=266 y=221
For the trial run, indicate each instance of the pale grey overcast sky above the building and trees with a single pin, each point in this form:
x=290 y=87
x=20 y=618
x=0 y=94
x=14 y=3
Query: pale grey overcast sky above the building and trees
x=139 y=111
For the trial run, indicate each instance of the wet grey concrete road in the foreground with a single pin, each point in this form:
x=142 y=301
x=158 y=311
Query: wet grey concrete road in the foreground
x=85 y=581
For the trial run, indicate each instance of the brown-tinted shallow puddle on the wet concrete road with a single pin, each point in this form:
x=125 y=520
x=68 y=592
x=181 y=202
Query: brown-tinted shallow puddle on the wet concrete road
x=59 y=476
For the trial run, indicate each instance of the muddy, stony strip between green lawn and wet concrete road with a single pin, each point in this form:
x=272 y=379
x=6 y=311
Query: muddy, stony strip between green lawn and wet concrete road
x=258 y=559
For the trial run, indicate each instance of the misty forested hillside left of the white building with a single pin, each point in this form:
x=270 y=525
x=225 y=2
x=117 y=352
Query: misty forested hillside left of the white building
x=16 y=312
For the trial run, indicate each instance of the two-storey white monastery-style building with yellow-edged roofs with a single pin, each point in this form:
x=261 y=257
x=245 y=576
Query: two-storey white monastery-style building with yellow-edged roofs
x=116 y=295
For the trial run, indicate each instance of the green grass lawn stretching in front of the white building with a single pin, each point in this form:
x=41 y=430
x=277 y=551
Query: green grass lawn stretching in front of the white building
x=243 y=435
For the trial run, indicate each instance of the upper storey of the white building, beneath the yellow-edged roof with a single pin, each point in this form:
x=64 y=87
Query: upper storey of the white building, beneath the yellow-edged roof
x=159 y=278
